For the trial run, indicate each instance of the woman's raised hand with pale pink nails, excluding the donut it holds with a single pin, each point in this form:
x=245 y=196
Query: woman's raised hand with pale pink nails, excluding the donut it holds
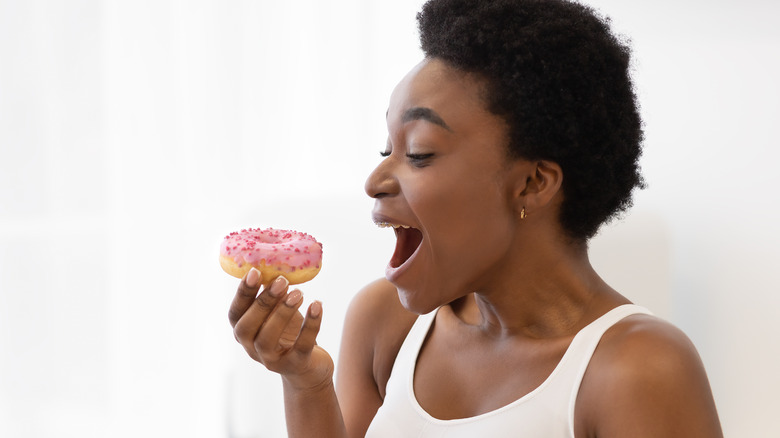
x=273 y=332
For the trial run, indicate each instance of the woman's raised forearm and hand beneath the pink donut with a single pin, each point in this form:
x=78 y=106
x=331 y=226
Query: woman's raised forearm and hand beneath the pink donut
x=274 y=333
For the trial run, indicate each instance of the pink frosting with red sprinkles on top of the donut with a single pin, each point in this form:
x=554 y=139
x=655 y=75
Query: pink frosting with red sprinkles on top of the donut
x=285 y=249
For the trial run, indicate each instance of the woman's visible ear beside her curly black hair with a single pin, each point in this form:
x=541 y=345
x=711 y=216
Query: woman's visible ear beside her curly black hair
x=539 y=186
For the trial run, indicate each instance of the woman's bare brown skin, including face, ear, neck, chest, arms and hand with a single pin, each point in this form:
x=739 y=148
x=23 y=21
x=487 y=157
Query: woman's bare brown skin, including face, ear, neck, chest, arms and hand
x=512 y=292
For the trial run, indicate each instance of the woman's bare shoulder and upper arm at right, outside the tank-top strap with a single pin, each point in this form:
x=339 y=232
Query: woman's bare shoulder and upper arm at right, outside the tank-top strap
x=646 y=379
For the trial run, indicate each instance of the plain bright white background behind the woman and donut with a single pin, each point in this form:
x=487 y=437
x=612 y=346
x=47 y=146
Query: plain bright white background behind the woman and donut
x=135 y=134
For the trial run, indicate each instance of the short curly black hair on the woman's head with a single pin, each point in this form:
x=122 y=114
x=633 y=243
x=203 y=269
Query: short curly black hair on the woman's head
x=561 y=79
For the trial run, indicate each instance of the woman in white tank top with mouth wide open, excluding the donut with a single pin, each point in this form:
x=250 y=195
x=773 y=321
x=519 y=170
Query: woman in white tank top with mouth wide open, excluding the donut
x=509 y=145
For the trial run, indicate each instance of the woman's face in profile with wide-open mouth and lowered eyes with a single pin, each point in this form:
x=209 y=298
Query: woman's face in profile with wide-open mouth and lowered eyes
x=445 y=186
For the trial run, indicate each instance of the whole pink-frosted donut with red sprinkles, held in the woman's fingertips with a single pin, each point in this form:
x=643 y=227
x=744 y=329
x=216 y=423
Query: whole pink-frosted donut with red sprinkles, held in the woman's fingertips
x=295 y=255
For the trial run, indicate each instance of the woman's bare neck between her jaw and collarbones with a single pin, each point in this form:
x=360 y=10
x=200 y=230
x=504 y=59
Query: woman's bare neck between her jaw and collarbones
x=547 y=292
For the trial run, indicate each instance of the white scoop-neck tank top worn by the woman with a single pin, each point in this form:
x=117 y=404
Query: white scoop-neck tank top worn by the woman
x=547 y=411
